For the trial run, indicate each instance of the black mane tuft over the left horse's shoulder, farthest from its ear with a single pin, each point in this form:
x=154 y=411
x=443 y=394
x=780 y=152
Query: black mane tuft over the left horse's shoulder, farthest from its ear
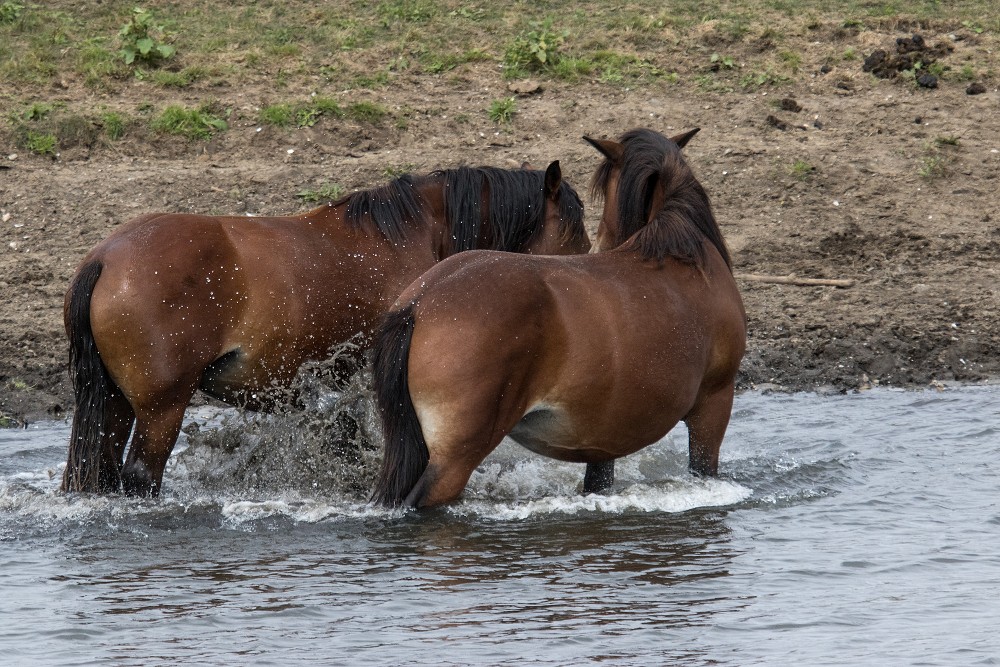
x=389 y=207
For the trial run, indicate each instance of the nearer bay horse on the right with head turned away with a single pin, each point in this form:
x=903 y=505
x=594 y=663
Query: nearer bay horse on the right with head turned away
x=580 y=358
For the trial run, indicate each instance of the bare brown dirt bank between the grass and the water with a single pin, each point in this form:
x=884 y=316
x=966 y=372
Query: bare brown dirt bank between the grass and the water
x=882 y=182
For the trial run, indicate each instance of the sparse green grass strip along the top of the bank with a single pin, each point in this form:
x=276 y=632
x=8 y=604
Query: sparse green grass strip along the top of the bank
x=217 y=50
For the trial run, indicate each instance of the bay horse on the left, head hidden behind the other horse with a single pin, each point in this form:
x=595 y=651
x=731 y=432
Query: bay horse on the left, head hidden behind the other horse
x=171 y=303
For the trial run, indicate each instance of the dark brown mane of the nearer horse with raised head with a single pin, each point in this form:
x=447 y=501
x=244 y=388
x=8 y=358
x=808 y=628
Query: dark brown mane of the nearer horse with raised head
x=650 y=160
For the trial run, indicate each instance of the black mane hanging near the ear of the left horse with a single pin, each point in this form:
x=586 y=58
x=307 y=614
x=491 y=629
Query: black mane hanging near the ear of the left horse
x=516 y=207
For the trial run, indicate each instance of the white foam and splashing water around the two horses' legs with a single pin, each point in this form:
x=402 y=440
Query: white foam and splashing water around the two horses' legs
x=512 y=484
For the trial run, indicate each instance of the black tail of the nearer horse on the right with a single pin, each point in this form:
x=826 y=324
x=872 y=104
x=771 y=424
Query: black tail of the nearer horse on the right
x=406 y=453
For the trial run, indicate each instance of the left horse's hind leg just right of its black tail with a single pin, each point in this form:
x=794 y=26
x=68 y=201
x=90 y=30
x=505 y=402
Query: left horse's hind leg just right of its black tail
x=156 y=431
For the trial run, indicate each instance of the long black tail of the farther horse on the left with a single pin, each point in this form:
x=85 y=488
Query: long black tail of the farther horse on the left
x=89 y=467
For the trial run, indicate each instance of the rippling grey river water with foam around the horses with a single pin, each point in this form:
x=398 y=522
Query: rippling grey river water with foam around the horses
x=858 y=529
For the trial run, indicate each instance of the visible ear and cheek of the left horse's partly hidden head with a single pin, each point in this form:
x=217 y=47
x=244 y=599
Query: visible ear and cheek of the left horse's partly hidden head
x=563 y=231
